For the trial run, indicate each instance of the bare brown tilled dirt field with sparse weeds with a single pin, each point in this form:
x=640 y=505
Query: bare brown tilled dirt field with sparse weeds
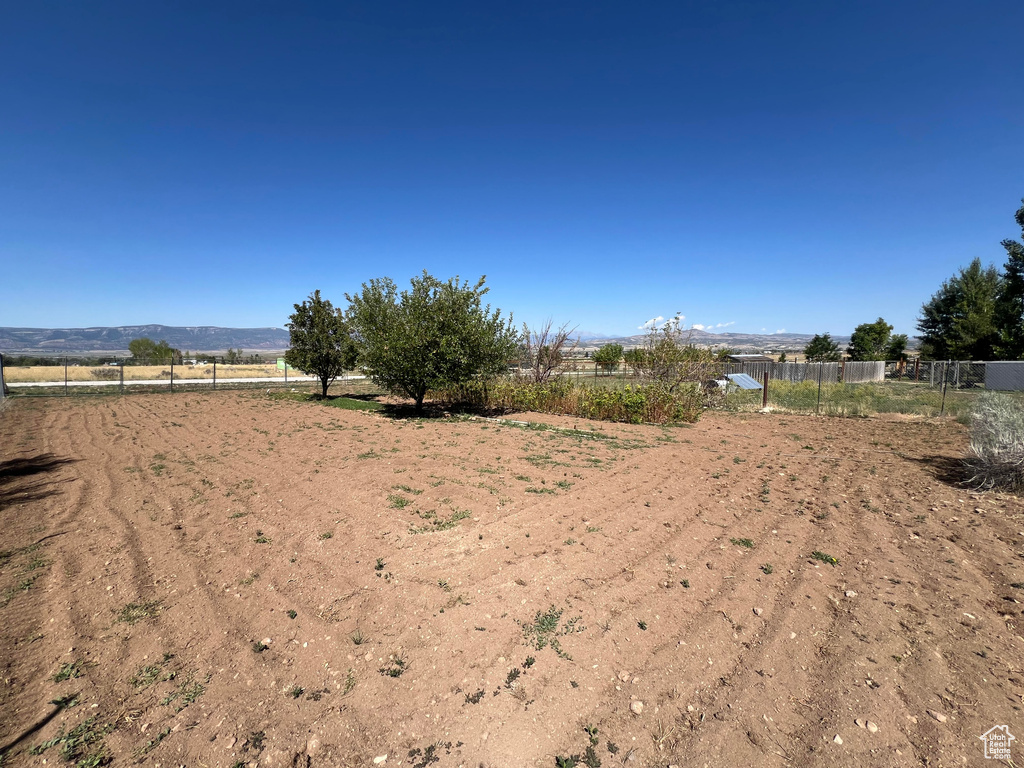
x=231 y=580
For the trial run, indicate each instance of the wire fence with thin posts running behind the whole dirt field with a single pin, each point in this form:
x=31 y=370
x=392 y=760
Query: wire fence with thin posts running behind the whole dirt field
x=919 y=388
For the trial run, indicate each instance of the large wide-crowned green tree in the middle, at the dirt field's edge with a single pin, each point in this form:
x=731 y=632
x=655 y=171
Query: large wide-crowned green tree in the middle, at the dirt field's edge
x=434 y=335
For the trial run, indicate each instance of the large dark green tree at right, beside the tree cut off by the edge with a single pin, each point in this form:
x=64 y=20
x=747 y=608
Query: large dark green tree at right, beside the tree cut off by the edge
x=960 y=321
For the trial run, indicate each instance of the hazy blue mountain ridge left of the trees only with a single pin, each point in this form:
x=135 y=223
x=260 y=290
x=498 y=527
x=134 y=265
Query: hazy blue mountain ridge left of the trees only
x=115 y=340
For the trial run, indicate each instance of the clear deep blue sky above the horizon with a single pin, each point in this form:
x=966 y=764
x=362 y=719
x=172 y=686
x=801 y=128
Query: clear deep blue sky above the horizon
x=805 y=166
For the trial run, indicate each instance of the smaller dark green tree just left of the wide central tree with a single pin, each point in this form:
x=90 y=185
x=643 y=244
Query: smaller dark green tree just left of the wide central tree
x=321 y=343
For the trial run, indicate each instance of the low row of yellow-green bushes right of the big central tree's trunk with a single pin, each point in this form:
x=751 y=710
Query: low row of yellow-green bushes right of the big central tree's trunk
x=633 y=404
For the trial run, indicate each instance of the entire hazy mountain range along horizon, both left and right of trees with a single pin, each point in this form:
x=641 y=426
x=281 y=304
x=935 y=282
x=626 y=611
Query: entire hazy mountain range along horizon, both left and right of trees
x=214 y=339
